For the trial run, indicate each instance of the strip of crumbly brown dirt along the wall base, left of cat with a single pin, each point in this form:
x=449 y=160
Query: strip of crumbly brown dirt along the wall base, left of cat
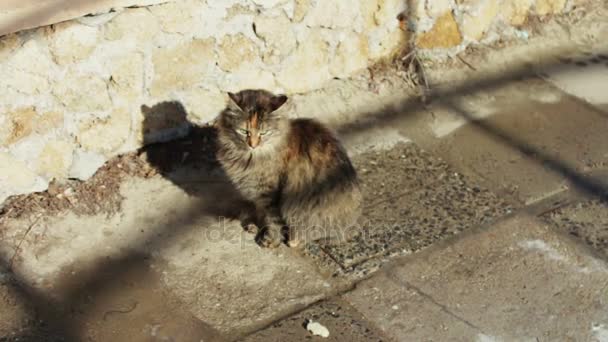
x=101 y=193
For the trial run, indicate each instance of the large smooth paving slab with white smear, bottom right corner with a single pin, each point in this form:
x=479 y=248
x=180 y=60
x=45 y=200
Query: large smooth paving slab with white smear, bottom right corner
x=518 y=280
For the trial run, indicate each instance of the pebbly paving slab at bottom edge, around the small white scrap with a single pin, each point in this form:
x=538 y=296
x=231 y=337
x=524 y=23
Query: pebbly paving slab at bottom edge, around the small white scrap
x=343 y=322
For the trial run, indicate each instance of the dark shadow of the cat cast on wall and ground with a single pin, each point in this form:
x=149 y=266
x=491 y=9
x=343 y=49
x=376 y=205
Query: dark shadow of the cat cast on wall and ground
x=189 y=162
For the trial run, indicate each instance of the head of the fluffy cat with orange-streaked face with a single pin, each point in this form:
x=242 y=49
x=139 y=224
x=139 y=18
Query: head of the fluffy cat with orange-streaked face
x=251 y=120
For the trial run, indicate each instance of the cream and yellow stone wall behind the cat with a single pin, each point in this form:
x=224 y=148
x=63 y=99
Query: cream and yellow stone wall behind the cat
x=76 y=93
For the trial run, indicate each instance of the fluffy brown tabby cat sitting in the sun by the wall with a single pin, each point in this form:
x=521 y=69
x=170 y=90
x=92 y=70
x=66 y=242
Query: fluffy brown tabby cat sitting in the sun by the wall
x=294 y=172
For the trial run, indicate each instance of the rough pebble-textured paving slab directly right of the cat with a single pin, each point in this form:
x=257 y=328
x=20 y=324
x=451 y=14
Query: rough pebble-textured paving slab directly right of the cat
x=413 y=199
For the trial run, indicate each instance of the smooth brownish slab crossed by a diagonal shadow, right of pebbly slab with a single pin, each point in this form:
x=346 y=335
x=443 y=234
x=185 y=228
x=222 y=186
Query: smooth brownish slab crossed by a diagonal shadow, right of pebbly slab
x=537 y=142
